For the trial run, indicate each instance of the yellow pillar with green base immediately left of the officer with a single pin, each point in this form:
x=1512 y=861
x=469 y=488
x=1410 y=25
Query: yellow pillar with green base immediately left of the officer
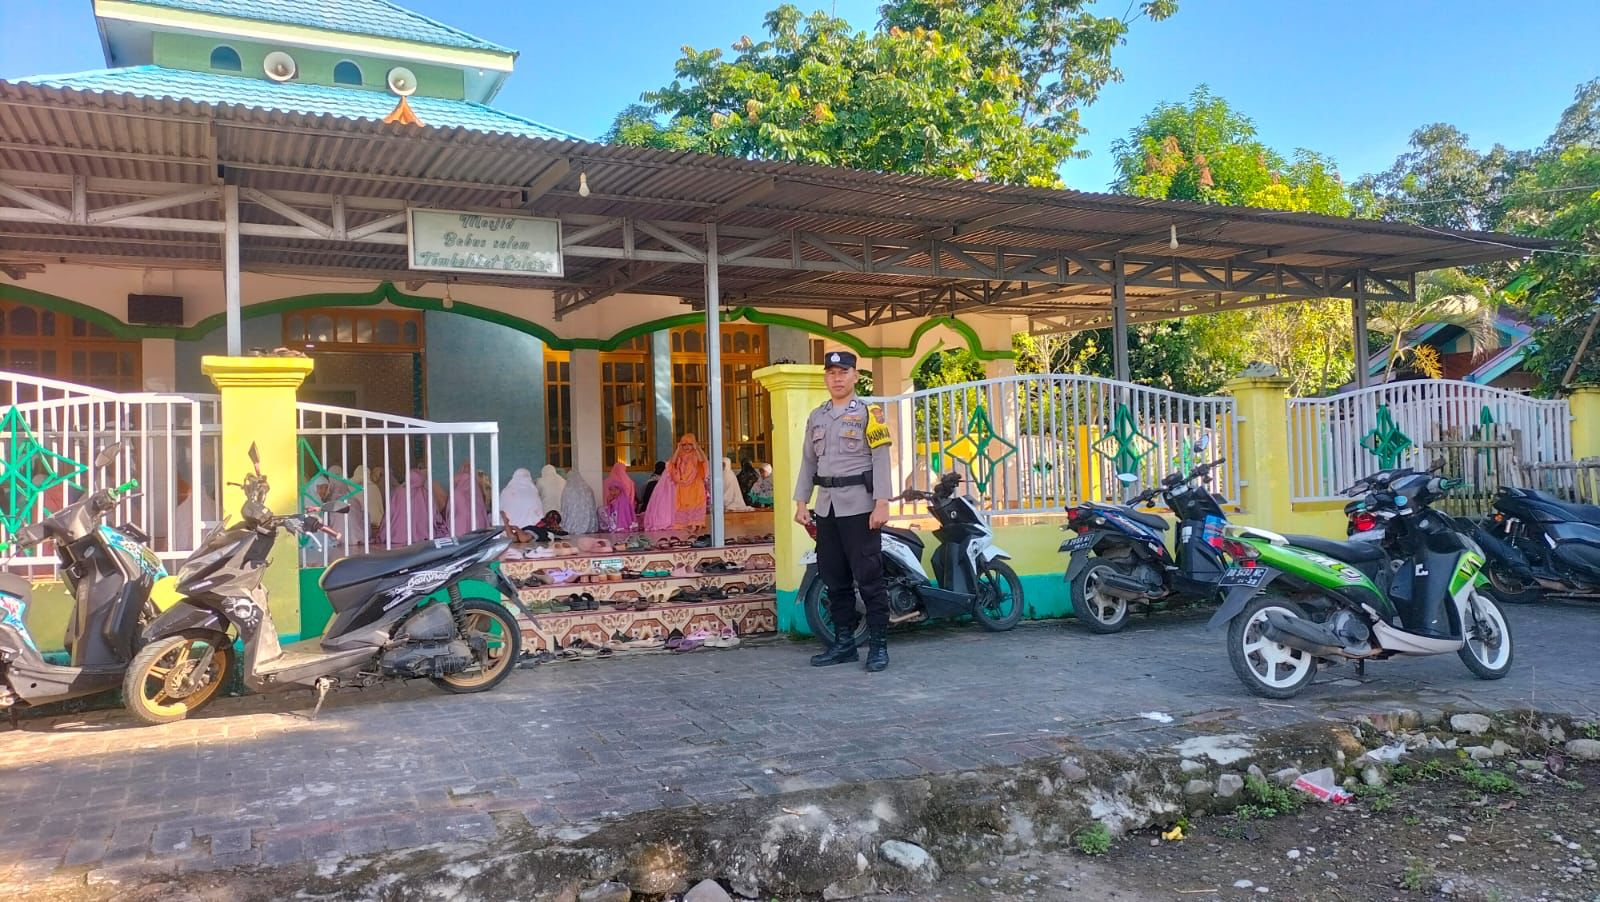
x=794 y=391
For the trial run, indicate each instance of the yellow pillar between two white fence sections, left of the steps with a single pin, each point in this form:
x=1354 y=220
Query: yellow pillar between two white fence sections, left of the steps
x=258 y=409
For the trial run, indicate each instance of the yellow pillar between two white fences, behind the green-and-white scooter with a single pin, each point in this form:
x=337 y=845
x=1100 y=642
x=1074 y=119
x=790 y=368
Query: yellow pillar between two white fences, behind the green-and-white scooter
x=1263 y=453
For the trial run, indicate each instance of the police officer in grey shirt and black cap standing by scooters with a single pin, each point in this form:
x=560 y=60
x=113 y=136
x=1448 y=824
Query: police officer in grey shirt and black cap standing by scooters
x=847 y=460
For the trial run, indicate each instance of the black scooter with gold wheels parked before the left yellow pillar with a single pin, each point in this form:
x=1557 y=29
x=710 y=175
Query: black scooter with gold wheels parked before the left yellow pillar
x=386 y=626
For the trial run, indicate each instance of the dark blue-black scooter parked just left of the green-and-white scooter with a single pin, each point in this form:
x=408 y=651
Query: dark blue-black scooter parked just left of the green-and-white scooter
x=1121 y=559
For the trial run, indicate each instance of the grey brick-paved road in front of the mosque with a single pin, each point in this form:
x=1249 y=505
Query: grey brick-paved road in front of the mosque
x=257 y=781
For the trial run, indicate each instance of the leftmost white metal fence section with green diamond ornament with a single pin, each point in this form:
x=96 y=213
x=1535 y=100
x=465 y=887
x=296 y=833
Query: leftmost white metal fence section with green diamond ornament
x=175 y=445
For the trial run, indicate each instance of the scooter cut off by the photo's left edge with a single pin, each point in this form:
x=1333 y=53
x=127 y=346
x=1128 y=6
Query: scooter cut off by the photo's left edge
x=110 y=573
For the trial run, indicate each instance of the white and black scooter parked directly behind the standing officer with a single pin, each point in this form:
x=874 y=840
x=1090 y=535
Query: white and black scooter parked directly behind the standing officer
x=974 y=578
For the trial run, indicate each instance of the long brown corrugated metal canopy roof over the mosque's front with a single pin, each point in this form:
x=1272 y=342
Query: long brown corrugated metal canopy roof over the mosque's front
x=58 y=129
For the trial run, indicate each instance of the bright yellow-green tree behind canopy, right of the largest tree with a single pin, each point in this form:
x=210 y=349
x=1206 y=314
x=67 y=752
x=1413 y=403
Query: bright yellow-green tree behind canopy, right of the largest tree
x=1206 y=151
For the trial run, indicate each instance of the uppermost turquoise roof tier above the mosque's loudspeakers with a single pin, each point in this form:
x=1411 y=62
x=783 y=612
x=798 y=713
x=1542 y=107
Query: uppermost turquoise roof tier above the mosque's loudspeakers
x=378 y=18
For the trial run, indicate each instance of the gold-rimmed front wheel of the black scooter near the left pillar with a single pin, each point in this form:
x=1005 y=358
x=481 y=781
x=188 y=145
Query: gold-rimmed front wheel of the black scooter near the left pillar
x=154 y=685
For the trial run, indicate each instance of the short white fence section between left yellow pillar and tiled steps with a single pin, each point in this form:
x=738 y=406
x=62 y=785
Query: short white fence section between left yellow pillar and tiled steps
x=407 y=481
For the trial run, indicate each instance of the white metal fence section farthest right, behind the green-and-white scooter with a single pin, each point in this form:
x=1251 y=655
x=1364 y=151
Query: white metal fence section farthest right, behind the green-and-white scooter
x=1327 y=436
